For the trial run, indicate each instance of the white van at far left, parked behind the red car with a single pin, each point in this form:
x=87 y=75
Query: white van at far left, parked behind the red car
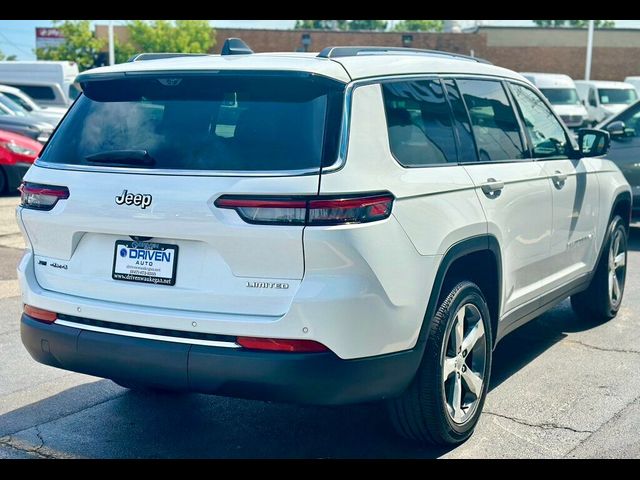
x=50 y=84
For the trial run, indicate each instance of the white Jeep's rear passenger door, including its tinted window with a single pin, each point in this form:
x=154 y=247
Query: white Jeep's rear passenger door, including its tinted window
x=514 y=193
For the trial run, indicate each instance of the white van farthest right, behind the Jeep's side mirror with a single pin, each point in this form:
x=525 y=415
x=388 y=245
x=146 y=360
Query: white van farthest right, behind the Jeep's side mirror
x=604 y=99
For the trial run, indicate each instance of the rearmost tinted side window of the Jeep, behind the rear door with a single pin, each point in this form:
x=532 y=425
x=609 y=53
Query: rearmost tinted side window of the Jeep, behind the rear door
x=419 y=123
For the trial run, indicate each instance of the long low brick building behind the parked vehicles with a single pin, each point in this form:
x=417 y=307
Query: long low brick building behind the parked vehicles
x=616 y=52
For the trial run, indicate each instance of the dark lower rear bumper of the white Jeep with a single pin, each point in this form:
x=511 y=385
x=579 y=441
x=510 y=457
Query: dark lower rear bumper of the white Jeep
x=309 y=378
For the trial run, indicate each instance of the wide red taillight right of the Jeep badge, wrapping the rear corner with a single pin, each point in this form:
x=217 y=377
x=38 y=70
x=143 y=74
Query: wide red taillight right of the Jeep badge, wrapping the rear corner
x=309 y=211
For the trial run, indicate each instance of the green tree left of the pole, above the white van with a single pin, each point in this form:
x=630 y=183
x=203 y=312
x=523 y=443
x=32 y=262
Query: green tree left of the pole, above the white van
x=80 y=45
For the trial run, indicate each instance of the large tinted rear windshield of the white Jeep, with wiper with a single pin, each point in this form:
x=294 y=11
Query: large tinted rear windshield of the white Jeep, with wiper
x=216 y=122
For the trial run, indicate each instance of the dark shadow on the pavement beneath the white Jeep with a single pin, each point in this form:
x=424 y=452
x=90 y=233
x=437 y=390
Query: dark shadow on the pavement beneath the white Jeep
x=128 y=424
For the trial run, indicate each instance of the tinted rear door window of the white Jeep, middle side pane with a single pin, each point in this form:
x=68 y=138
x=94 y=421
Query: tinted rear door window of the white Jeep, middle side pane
x=493 y=121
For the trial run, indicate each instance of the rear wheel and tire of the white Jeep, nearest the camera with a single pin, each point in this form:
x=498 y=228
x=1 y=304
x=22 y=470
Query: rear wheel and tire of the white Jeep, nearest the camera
x=424 y=411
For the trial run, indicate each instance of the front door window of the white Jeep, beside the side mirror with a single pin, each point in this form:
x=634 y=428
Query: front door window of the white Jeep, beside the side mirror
x=546 y=135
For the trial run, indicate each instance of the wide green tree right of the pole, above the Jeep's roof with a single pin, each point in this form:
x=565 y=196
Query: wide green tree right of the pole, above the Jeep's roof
x=184 y=36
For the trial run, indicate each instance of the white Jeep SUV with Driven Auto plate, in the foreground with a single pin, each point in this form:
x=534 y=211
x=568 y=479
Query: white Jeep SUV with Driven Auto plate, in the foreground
x=362 y=224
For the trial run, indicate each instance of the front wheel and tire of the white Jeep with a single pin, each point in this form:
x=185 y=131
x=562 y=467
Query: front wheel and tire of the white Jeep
x=601 y=301
